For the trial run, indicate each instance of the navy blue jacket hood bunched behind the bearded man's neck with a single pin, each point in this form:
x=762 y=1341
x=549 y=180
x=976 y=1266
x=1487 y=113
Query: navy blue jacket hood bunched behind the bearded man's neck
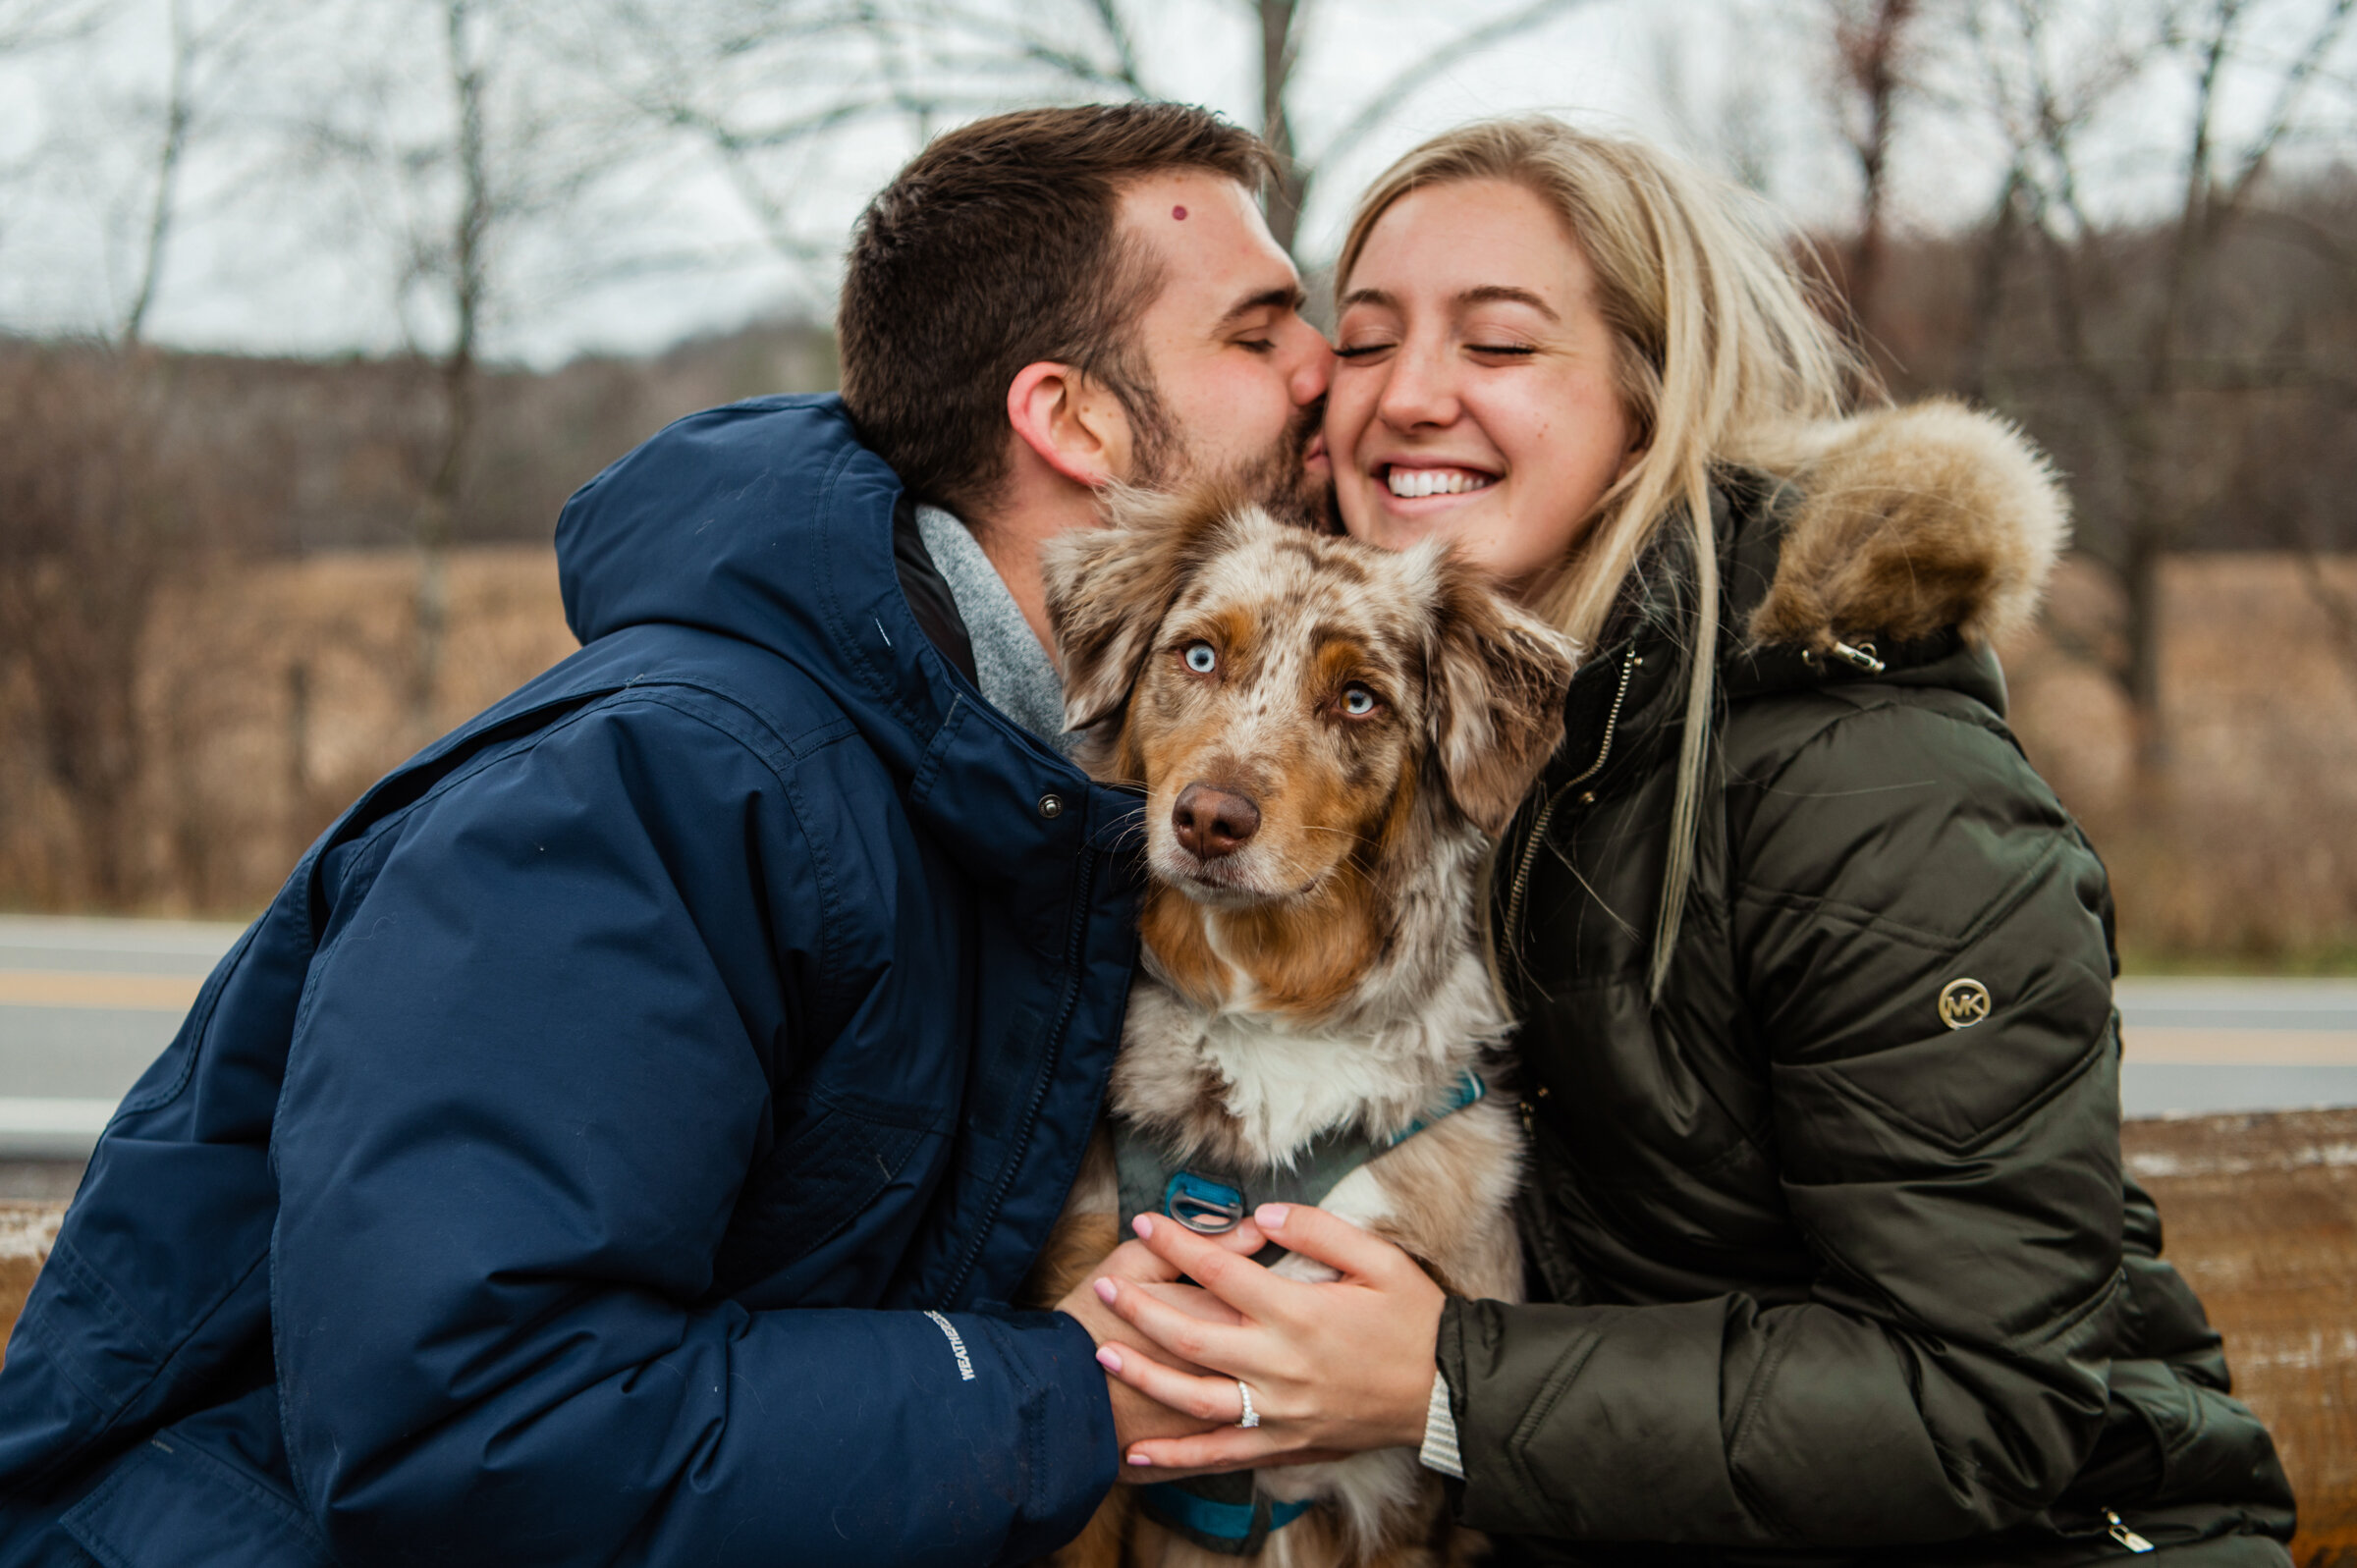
x=770 y=522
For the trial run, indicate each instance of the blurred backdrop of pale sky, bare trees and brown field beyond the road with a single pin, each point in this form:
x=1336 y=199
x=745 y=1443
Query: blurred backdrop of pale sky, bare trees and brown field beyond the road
x=315 y=315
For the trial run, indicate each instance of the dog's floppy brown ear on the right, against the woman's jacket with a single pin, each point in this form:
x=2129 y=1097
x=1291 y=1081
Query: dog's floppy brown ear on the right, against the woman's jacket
x=1496 y=678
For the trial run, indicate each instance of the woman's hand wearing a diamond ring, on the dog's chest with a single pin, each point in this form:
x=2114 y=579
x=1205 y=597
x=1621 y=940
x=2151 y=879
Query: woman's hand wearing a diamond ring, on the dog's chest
x=1335 y=1369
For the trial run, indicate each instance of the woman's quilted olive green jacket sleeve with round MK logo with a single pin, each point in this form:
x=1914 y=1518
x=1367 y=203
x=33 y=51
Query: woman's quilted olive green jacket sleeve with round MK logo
x=1957 y=1185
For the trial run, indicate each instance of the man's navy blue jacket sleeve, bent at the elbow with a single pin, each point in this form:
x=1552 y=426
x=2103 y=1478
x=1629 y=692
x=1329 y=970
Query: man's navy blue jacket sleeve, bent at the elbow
x=527 y=1088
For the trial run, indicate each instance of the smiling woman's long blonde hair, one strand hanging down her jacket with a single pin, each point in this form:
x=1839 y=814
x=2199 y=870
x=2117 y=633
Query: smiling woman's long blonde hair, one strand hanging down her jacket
x=1724 y=360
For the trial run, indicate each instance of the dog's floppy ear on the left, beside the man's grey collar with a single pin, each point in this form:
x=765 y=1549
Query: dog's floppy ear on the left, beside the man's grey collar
x=1109 y=591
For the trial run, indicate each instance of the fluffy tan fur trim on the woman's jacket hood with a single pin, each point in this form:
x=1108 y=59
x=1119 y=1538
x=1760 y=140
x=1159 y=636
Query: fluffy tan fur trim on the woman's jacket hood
x=1910 y=522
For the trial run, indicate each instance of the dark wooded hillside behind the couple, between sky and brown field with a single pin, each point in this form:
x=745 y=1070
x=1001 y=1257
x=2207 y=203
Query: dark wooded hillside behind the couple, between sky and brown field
x=2259 y=423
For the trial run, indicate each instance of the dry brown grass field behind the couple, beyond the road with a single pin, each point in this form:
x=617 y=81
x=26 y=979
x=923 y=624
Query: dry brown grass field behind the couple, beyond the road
x=275 y=694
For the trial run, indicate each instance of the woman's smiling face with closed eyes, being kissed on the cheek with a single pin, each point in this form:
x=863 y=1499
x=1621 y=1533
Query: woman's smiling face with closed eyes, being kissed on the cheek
x=1474 y=397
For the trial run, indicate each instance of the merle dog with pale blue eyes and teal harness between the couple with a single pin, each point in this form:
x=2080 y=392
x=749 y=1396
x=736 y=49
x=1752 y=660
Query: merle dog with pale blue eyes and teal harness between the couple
x=1331 y=739
